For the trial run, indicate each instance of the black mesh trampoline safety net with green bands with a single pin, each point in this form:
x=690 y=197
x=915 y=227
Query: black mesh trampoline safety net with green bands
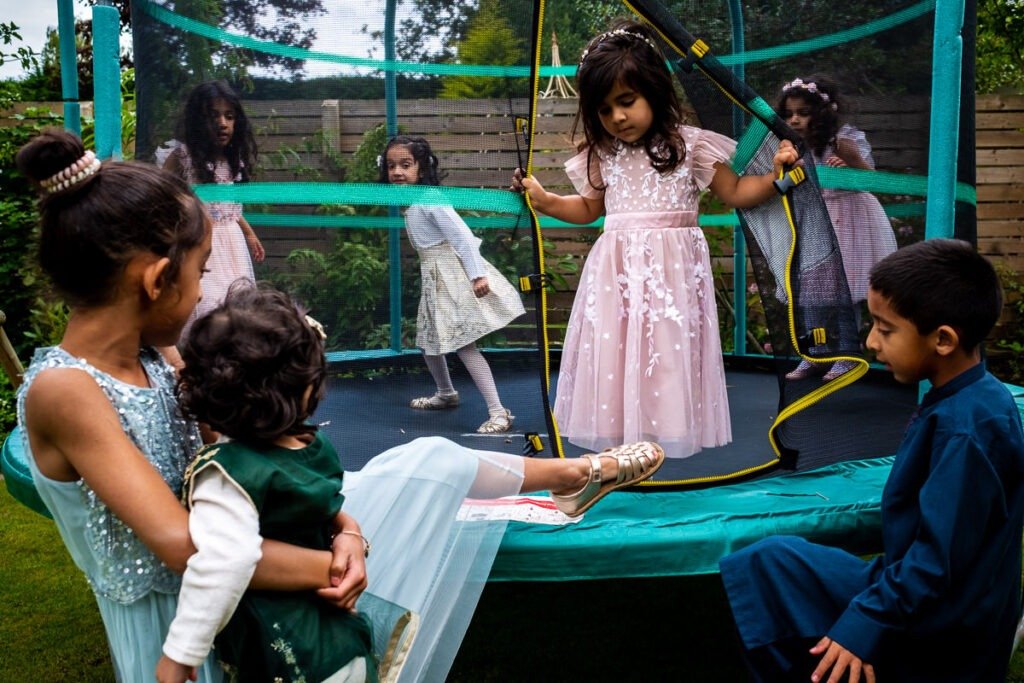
x=478 y=89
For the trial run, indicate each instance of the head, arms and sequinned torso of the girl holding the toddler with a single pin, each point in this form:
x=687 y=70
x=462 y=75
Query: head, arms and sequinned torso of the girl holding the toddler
x=125 y=245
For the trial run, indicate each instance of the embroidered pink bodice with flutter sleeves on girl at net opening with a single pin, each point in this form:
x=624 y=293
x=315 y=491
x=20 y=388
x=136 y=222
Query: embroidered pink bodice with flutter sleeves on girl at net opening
x=633 y=186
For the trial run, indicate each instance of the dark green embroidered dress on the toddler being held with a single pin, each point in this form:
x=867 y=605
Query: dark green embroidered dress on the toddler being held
x=279 y=635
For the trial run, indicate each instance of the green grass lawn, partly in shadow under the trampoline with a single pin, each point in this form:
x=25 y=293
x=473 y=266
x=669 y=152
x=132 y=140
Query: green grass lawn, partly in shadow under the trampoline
x=630 y=630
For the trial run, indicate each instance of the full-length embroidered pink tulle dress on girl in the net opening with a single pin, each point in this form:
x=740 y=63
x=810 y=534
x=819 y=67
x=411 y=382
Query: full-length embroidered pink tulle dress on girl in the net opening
x=643 y=359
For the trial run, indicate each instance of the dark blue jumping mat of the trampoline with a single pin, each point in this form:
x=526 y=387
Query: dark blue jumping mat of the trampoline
x=351 y=415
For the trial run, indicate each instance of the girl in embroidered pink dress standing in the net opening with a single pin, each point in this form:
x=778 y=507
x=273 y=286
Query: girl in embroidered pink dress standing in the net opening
x=643 y=357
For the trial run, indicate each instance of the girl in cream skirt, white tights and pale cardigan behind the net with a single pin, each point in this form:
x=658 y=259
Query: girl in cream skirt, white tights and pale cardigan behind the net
x=462 y=296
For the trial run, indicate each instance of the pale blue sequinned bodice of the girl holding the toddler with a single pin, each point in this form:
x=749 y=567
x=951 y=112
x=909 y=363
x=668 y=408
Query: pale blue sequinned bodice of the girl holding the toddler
x=118 y=566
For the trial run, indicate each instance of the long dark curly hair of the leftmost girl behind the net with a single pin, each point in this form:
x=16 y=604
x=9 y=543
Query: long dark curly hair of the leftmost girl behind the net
x=197 y=130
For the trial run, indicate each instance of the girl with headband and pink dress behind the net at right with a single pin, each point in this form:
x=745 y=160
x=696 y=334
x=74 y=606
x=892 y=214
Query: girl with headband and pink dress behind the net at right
x=815 y=109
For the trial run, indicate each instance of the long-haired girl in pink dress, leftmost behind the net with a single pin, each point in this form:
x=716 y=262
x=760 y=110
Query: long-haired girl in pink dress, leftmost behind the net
x=219 y=147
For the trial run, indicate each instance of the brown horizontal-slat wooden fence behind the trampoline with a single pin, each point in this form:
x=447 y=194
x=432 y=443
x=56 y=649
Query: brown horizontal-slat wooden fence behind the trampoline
x=478 y=146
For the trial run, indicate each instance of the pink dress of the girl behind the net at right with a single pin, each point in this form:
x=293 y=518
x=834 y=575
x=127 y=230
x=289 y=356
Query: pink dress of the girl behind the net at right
x=863 y=229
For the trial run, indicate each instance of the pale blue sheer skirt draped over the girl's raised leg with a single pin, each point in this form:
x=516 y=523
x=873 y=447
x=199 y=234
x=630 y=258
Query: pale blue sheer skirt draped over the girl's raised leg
x=406 y=500
